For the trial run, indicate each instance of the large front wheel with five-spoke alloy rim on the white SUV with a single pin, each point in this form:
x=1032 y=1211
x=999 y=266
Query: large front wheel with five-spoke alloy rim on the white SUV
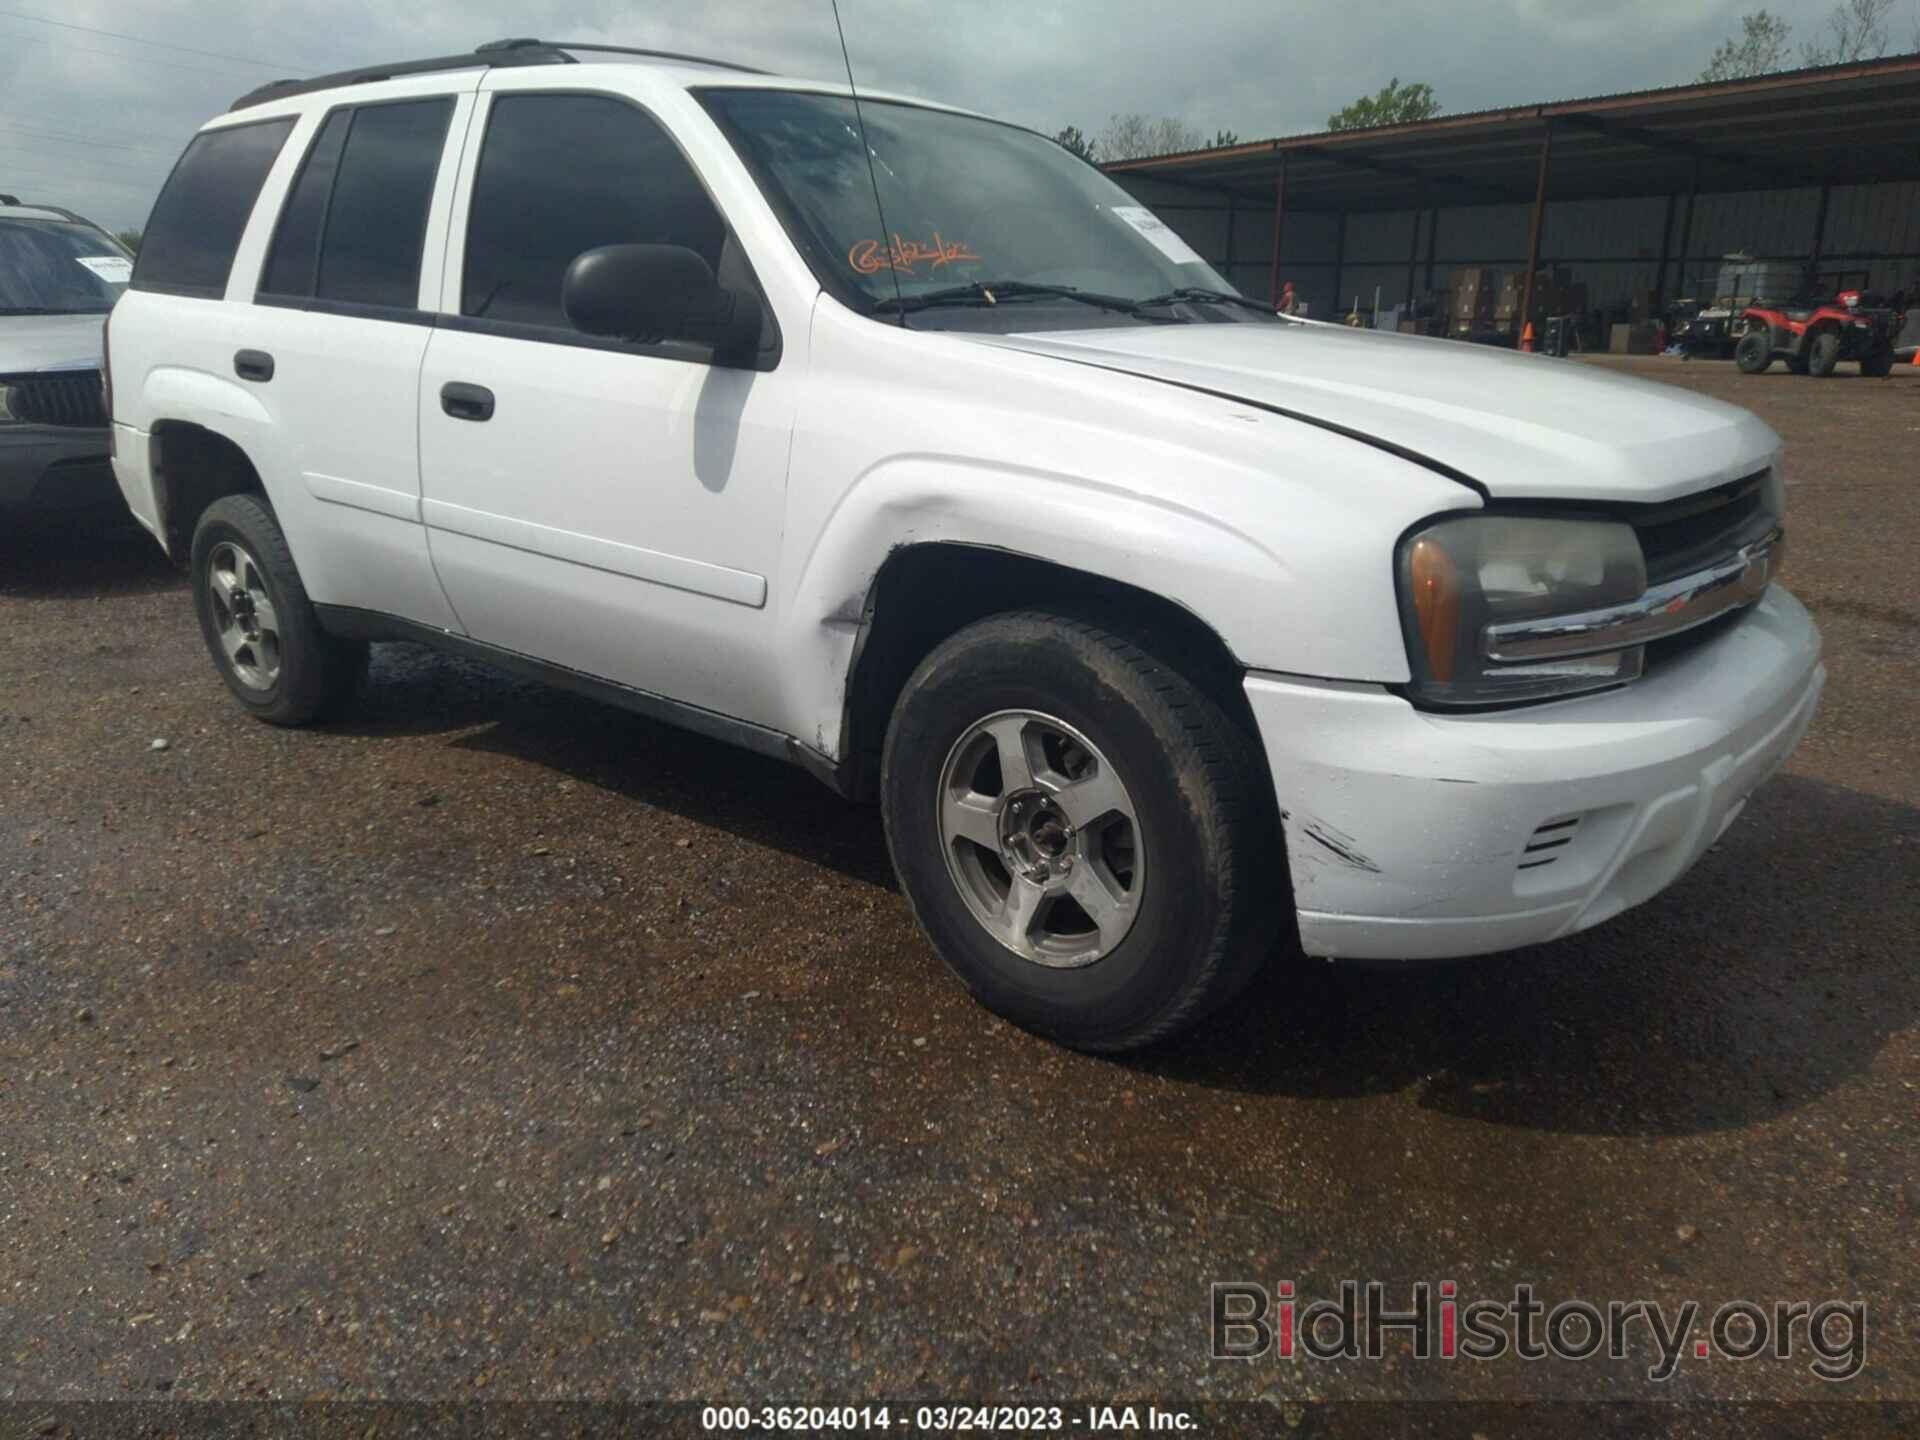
x=1186 y=878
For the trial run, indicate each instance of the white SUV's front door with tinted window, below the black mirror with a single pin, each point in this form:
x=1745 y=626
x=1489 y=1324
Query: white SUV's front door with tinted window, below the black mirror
x=608 y=506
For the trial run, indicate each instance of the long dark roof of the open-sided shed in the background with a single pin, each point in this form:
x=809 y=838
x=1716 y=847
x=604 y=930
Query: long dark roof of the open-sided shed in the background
x=1831 y=124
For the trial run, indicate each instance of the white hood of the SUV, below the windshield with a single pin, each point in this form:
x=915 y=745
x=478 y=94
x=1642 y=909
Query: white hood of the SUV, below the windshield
x=1522 y=427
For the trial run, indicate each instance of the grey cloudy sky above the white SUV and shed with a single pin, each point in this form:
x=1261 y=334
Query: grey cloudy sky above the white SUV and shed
x=97 y=97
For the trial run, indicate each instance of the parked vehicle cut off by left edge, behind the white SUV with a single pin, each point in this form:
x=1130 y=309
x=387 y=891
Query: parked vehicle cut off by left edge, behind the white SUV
x=59 y=279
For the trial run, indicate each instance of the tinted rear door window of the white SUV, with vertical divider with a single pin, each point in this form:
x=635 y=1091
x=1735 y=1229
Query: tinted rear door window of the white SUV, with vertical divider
x=356 y=220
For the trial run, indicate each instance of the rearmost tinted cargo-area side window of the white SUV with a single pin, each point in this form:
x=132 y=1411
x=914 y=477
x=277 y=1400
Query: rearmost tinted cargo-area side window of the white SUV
x=203 y=210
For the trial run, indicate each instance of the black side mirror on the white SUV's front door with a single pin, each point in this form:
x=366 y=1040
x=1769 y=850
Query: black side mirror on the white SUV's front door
x=660 y=293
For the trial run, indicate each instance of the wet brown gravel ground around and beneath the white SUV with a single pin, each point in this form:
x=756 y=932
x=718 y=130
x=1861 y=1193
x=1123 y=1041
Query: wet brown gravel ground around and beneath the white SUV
x=496 y=1044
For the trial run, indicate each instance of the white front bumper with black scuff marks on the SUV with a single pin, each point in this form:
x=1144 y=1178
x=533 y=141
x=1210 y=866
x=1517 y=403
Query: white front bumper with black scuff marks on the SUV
x=1420 y=836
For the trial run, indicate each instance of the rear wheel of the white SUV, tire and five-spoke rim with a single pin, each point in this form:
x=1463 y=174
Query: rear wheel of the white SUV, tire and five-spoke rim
x=258 y=621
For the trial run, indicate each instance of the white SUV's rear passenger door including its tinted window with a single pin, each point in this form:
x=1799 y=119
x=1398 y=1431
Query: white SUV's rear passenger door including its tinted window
x=337 y=335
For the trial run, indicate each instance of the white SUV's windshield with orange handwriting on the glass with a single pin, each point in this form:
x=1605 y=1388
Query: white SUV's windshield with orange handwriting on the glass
x=972 y=206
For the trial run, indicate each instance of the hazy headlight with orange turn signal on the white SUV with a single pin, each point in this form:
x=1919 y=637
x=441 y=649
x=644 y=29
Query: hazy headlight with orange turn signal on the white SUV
x=1462 y=575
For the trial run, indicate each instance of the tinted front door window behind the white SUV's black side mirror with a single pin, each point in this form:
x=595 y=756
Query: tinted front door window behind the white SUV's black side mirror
x=560 y=176
